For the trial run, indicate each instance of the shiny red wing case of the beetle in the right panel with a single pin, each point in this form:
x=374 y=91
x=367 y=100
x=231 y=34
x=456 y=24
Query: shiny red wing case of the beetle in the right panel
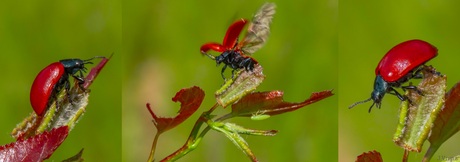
x=404 y=58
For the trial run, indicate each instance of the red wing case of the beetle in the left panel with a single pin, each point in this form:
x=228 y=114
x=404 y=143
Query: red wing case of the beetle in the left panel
x=43 y=86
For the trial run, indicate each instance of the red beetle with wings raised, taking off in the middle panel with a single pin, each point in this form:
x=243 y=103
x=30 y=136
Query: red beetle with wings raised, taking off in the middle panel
x=235 y=54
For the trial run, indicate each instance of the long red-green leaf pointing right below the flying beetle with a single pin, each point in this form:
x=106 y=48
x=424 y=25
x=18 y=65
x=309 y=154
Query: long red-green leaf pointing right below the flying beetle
x=272 y=103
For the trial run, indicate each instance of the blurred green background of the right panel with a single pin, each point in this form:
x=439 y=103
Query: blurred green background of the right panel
x=367 y=30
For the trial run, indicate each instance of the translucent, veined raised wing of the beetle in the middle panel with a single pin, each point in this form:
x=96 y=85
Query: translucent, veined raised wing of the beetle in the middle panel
x=258 y=30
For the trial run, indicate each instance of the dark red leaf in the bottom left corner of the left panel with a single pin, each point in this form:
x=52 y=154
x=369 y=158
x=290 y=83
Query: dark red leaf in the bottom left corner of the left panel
x=36 y=148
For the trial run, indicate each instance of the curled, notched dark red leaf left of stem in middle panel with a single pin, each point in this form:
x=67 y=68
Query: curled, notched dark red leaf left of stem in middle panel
x=190 y=100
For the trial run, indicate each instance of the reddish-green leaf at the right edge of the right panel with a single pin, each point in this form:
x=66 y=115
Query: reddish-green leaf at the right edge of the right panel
x=447 y=123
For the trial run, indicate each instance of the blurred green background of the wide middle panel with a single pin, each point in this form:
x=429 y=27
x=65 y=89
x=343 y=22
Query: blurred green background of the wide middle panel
x=161 y=41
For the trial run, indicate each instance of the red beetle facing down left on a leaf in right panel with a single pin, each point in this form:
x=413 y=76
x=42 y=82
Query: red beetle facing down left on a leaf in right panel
x=400 y=64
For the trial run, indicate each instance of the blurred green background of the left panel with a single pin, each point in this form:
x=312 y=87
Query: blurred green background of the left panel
x=34 y=34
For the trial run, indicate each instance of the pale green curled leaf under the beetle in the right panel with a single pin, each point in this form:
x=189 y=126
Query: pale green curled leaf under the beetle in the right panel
x=417 y=119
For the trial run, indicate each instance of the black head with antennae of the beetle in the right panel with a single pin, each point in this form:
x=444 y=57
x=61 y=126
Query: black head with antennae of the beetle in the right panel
x=380 y=88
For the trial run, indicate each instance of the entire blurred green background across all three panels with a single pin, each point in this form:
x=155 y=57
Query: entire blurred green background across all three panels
x=314 y=46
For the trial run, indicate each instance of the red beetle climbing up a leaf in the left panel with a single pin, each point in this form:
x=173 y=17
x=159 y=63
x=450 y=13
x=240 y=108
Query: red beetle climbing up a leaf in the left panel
x=52 y=79
